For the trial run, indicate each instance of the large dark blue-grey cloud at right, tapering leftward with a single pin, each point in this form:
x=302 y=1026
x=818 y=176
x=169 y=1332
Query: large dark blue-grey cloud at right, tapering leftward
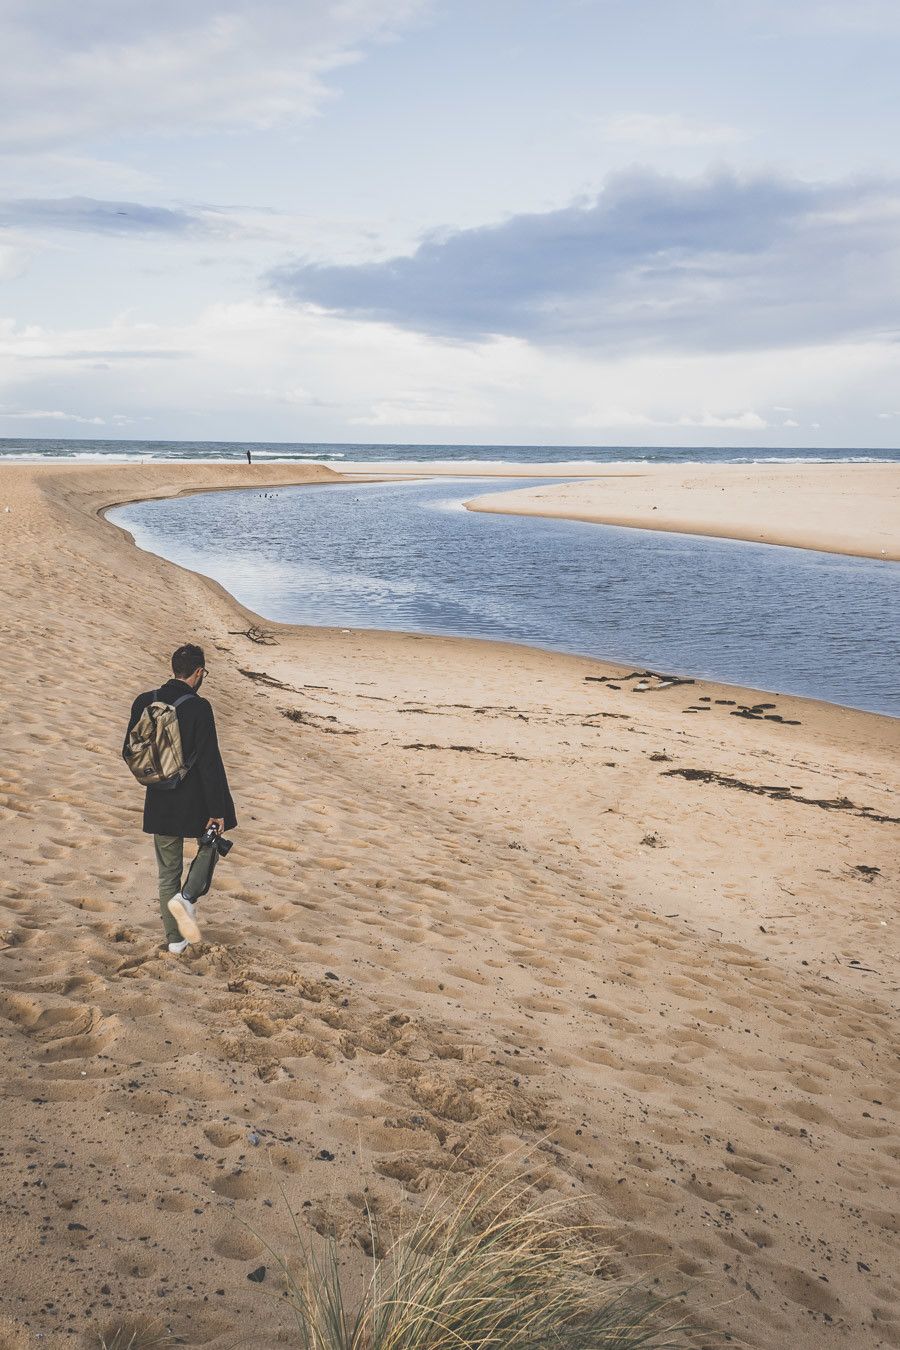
x=652 y=264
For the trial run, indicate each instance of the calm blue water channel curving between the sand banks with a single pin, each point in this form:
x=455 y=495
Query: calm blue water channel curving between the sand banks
x=410 y=557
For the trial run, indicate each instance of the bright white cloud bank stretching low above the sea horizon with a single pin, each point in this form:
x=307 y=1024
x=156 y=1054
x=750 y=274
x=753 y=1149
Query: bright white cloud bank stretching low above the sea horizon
x=241 y=360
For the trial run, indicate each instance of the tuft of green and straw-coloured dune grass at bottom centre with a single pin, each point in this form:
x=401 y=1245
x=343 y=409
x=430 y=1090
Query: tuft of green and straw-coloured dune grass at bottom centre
x=486 y=1272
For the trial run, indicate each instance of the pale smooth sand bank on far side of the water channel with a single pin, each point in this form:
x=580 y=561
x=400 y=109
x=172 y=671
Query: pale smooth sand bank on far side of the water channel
x=833 y=508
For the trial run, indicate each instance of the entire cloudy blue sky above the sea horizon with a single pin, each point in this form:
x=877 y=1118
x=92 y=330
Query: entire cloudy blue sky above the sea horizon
x=478 y=222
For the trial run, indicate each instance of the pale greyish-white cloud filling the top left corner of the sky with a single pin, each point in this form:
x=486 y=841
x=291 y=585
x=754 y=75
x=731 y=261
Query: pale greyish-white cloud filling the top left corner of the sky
x=117 y=65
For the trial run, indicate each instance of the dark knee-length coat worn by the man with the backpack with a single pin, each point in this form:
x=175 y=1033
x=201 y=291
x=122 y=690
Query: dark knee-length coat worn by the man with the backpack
x=204 y=793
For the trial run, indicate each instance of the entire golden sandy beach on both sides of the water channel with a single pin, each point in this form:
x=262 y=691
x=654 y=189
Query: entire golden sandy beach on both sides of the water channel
x=482 y=900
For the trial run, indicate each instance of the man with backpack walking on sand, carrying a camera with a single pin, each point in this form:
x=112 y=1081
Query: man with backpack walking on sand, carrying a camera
x=173 y=750
